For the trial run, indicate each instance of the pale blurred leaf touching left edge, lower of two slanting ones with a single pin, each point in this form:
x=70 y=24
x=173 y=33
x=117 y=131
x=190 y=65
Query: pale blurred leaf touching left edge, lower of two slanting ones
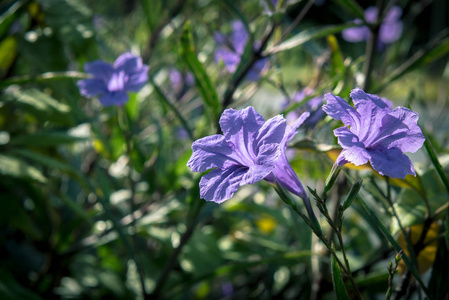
x=15 y=167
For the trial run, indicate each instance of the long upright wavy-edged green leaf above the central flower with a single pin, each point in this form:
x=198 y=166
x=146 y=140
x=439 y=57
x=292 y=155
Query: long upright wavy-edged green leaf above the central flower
x=202 y=80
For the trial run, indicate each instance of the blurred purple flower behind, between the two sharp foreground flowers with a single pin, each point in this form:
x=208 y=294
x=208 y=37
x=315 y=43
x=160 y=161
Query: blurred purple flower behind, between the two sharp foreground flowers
x=313 y=105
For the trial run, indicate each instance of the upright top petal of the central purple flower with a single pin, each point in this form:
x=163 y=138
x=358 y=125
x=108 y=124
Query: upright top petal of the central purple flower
x=240 y=129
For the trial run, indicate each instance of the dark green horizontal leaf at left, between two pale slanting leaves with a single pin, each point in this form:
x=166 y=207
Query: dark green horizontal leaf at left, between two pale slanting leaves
x=45 y=139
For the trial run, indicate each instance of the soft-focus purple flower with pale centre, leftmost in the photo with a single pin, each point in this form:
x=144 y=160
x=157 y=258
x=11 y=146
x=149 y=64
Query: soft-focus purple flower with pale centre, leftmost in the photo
x=112 y=82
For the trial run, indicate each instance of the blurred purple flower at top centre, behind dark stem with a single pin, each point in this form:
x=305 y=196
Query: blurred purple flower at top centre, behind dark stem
x=230 y=50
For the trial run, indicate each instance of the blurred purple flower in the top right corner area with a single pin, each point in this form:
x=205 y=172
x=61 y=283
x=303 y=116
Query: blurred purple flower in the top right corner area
x=389 y=32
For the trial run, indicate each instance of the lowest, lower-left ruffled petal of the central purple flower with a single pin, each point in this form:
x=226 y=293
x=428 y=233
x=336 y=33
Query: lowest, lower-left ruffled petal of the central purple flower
x=220 y=185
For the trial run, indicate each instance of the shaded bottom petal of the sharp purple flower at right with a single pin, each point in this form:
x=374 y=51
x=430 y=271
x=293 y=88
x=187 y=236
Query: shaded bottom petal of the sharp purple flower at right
x=391 y=162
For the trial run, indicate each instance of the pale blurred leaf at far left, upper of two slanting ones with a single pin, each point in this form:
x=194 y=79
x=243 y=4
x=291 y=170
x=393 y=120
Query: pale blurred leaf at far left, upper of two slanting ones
x=41 y=105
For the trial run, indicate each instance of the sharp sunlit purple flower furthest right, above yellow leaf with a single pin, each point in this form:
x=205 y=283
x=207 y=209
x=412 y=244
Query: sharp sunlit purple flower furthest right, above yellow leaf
x=375 y=133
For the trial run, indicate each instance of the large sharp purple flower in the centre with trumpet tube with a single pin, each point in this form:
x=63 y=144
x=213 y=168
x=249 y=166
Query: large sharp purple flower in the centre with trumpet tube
x=248 y=151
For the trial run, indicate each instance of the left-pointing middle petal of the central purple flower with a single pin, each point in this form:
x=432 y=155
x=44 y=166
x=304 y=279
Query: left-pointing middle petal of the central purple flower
x=211 y=152
